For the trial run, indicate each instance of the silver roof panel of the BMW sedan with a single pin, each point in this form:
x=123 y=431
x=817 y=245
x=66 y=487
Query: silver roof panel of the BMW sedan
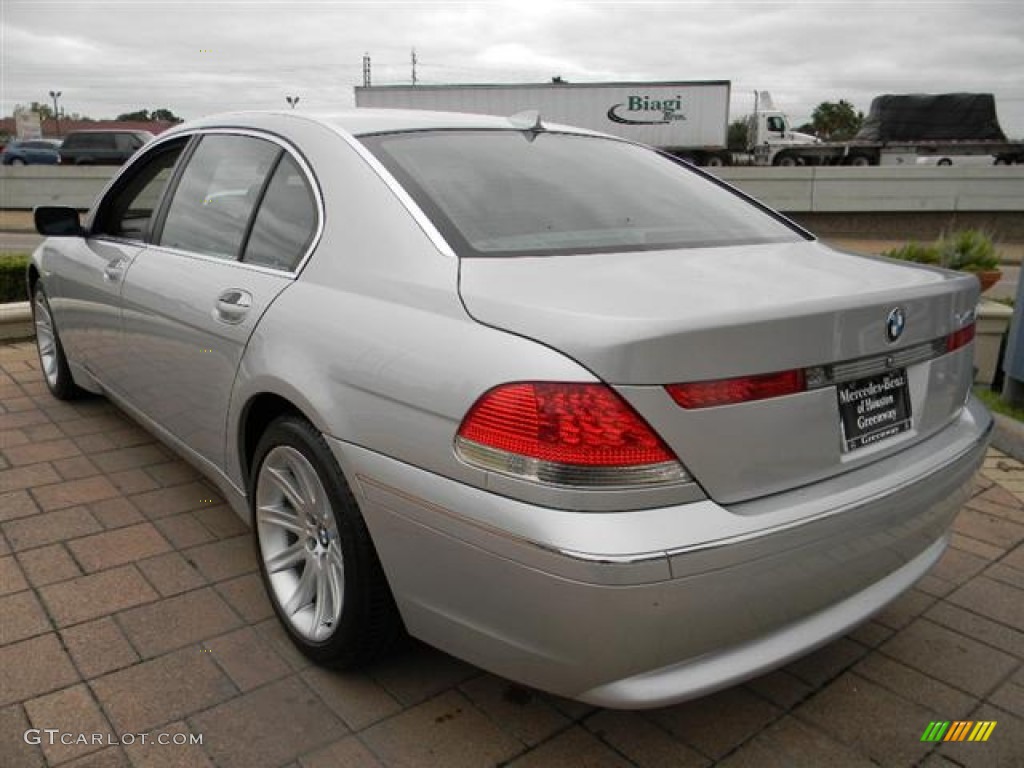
x=364 y=122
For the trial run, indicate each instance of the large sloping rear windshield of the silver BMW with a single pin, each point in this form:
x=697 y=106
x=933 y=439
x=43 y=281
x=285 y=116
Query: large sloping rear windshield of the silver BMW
x=524 y=194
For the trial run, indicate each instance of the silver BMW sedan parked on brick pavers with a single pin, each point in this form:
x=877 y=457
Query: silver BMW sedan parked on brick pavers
x=554 y=403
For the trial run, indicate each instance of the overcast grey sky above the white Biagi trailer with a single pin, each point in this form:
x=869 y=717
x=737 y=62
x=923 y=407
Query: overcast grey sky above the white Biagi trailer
x=196 y=58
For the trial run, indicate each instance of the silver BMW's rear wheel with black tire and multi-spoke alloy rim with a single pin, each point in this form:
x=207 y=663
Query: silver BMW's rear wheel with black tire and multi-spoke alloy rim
x=316 y=554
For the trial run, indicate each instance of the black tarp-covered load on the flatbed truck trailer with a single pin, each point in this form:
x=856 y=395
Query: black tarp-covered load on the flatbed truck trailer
x=943 y=117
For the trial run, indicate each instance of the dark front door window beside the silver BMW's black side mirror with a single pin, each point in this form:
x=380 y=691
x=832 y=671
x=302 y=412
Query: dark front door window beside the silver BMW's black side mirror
x=127 y=211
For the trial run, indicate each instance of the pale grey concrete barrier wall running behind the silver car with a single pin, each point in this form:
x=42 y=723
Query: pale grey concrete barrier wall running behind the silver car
x=879 y=190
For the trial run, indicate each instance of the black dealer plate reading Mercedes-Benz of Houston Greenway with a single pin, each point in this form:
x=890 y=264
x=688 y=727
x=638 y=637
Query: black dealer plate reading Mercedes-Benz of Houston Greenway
x=874 y=409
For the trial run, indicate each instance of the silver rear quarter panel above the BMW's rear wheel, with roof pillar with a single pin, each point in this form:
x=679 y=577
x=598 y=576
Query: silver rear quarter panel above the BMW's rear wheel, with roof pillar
x=372 y=343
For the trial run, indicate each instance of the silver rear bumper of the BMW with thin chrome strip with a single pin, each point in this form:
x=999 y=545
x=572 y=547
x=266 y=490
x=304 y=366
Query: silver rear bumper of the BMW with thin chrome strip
x=566 y=602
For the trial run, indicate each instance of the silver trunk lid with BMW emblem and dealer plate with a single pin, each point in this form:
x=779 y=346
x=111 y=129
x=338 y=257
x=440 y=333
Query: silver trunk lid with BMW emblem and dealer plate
x=642 y=322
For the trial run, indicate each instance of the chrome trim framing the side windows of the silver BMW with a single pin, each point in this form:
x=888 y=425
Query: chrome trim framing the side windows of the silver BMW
x=286 y=146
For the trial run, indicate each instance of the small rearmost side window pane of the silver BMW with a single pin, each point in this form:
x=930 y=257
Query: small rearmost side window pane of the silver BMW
x=286 y=221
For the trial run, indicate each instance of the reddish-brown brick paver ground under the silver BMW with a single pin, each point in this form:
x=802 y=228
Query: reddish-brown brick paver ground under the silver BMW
x=131 y=605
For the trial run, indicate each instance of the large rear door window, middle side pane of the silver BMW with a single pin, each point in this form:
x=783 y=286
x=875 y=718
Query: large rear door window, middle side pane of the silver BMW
x=219 y=191
